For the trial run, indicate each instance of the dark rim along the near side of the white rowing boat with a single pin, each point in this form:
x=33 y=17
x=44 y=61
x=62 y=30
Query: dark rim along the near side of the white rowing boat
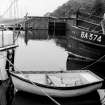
x=58 y=87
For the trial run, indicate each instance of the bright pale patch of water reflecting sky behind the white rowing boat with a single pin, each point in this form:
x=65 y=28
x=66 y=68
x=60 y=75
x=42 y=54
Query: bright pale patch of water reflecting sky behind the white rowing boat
x=41 y=54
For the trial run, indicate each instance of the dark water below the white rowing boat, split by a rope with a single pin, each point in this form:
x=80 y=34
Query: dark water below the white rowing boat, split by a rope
x=22 y=98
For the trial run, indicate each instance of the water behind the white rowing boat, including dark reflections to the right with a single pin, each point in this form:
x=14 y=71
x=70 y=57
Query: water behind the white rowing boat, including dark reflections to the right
x=40 y=50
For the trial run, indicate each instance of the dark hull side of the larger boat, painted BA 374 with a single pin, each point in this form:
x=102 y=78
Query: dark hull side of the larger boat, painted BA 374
x=86 y=43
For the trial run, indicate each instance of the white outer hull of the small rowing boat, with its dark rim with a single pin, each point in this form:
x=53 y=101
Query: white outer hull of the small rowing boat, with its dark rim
x=25 y=85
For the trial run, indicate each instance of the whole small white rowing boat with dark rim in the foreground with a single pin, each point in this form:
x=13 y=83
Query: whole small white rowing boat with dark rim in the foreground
x=56 y=83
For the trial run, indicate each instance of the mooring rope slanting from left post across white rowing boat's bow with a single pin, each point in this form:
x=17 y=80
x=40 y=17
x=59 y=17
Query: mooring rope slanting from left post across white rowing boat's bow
x=56 y=102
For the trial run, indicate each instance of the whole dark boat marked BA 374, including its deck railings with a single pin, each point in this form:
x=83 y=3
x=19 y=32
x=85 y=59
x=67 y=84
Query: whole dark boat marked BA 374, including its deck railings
x=85 y=37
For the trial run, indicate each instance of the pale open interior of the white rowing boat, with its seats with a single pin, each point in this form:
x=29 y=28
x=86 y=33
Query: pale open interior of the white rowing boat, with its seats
x=66 y=79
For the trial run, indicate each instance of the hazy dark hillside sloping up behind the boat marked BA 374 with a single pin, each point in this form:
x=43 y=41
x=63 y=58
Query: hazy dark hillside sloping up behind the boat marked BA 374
x=96 y=7
